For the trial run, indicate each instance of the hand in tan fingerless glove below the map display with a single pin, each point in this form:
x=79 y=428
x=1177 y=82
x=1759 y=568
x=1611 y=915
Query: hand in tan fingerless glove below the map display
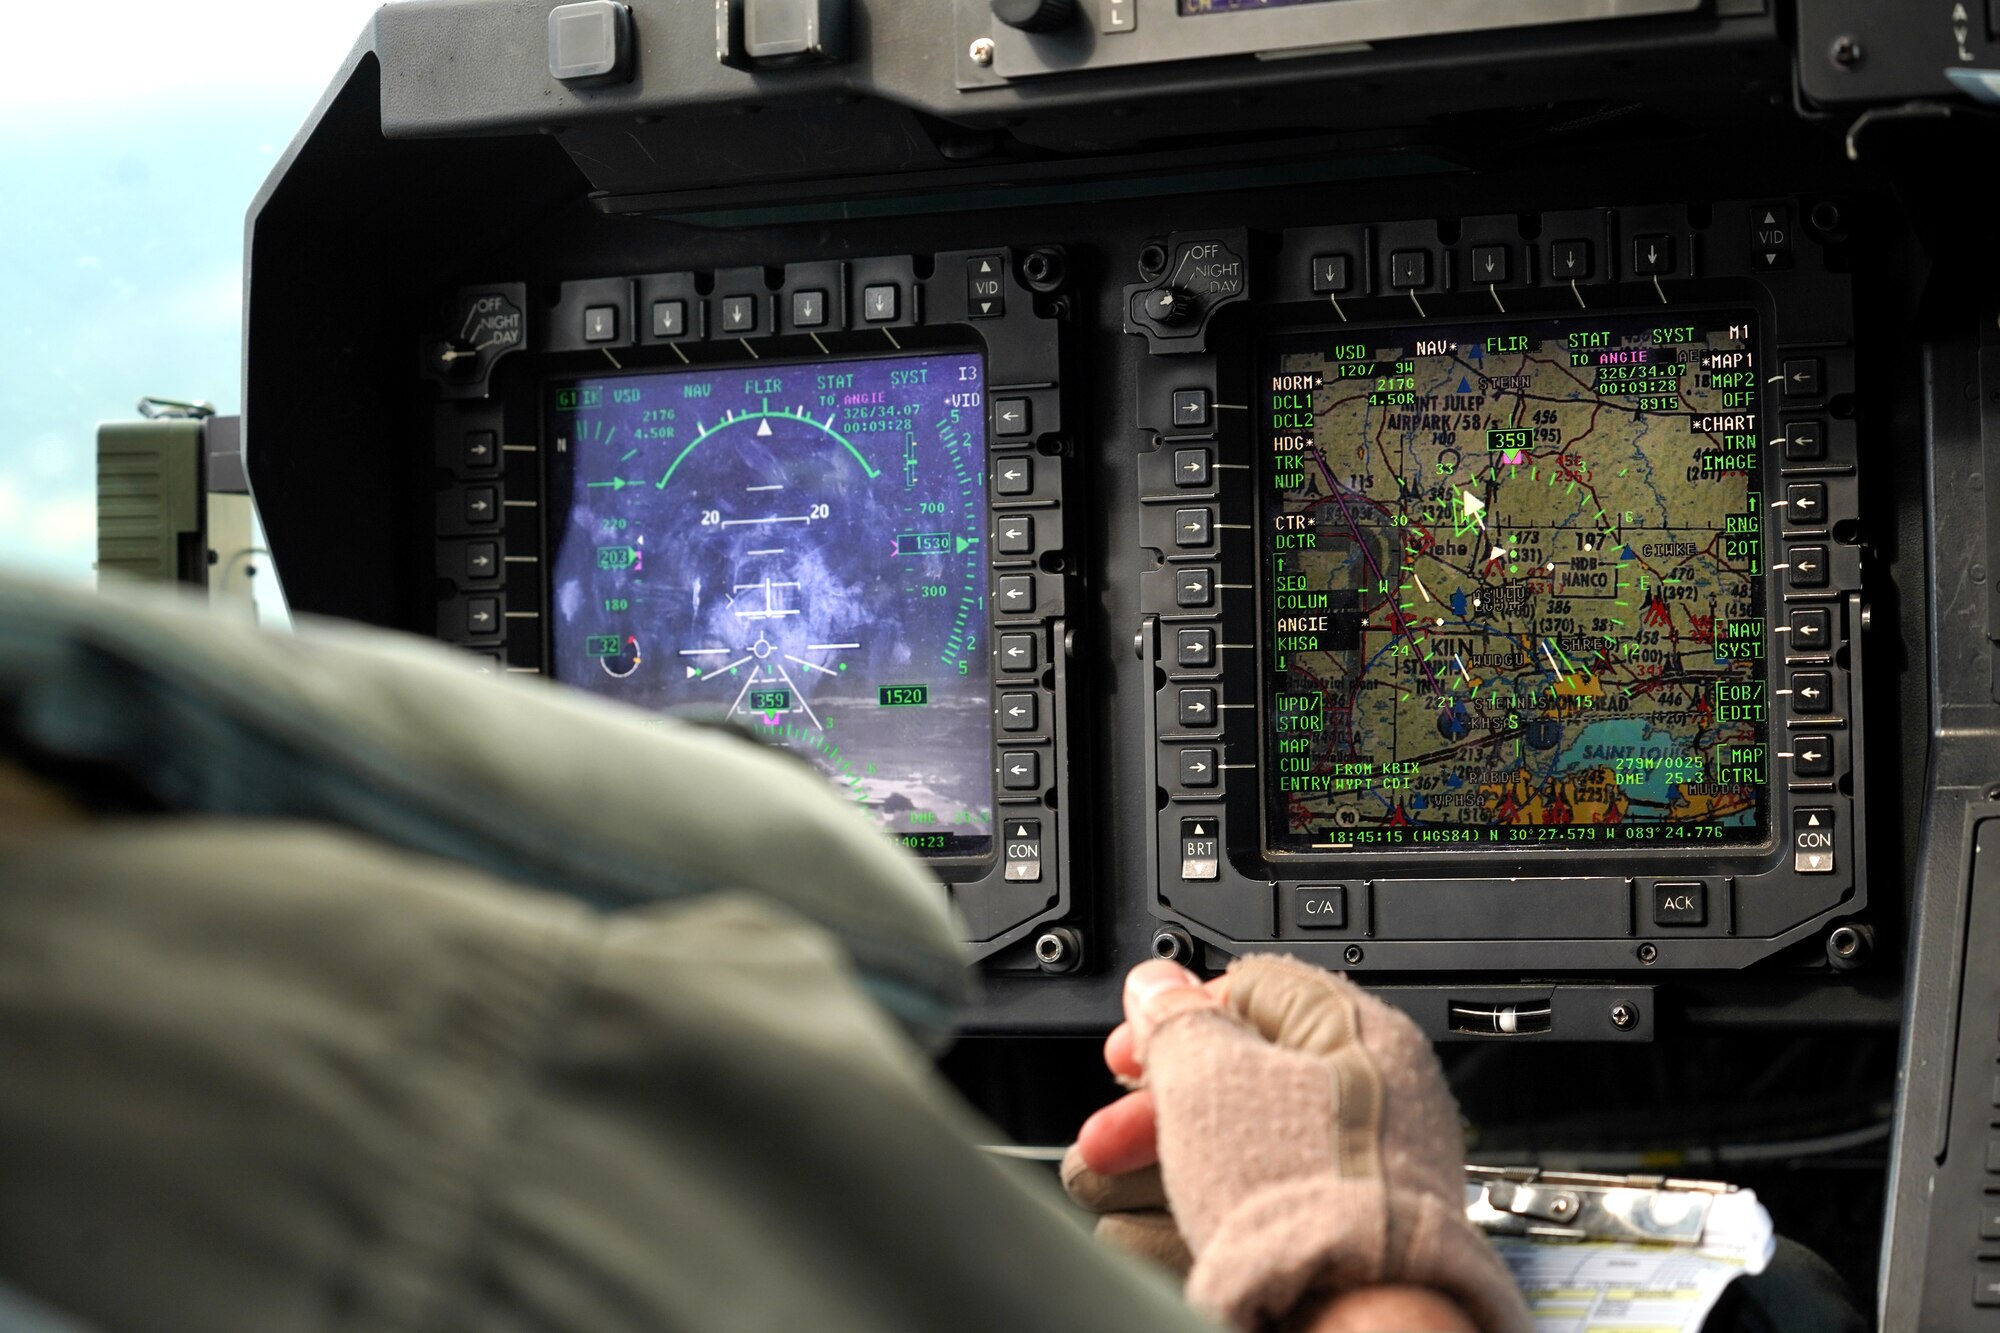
x=1305 y=1140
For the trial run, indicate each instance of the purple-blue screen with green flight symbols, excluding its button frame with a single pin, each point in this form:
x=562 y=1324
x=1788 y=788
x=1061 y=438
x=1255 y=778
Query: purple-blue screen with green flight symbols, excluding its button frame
x=797 y=549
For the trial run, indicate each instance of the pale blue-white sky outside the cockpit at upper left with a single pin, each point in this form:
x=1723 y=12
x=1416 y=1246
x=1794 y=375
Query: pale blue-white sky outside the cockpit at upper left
x=123 y=197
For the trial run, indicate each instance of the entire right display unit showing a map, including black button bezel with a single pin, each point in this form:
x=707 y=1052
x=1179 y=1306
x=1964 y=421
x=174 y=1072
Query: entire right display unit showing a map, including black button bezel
x=1503 y=587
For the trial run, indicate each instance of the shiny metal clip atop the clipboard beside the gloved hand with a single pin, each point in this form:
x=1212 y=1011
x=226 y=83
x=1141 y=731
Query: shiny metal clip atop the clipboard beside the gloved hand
x=1579 y=1206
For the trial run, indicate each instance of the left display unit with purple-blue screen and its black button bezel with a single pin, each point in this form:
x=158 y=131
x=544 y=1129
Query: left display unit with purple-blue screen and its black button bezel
x=827 y=511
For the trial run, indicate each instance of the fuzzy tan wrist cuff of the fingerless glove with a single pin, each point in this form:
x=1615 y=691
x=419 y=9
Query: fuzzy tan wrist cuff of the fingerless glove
x=1331 y=1234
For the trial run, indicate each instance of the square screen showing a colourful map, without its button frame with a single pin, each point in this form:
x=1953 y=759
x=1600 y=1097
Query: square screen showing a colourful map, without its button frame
x=1515 y=585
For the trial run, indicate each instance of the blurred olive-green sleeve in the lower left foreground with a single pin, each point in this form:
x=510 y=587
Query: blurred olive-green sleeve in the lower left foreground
x=277 y=1078
